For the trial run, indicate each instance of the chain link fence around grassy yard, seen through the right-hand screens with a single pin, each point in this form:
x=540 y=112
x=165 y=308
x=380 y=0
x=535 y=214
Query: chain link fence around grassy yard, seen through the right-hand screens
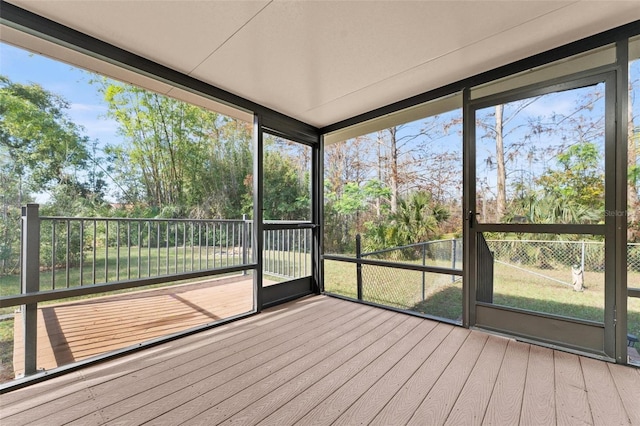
x=441 y=295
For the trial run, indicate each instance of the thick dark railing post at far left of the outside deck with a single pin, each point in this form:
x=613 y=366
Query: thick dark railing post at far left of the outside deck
x=30 y=283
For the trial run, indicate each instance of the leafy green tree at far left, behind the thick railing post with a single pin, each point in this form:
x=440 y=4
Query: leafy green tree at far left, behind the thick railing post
x=40 y=149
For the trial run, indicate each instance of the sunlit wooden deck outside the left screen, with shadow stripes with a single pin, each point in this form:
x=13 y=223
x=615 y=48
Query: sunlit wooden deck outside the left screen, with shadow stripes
x=77 y=330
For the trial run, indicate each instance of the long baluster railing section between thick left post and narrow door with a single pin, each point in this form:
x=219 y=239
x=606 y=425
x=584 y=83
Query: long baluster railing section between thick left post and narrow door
x=84 y=251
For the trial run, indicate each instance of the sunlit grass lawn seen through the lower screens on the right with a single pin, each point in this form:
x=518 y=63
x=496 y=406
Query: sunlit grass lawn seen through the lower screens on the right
x=514 y=288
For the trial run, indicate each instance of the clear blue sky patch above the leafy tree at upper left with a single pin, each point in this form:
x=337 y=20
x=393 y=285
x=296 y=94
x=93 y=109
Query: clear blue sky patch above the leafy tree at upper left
x=86 y=106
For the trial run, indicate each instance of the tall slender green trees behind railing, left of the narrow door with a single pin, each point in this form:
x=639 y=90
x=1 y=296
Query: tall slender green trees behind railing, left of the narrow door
x=177 y=154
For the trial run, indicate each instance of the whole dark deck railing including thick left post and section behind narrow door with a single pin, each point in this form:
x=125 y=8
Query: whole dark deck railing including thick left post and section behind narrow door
x=65 y=257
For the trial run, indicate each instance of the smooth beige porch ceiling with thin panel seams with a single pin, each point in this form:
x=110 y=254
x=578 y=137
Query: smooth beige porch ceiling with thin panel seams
x=325 y=61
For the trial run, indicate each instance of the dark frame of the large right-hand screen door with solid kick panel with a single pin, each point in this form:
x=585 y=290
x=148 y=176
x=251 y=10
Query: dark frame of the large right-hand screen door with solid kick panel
x=581 y=336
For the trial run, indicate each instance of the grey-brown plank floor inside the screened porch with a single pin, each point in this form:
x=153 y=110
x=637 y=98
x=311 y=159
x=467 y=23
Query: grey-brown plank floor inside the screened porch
x=321 y=360
